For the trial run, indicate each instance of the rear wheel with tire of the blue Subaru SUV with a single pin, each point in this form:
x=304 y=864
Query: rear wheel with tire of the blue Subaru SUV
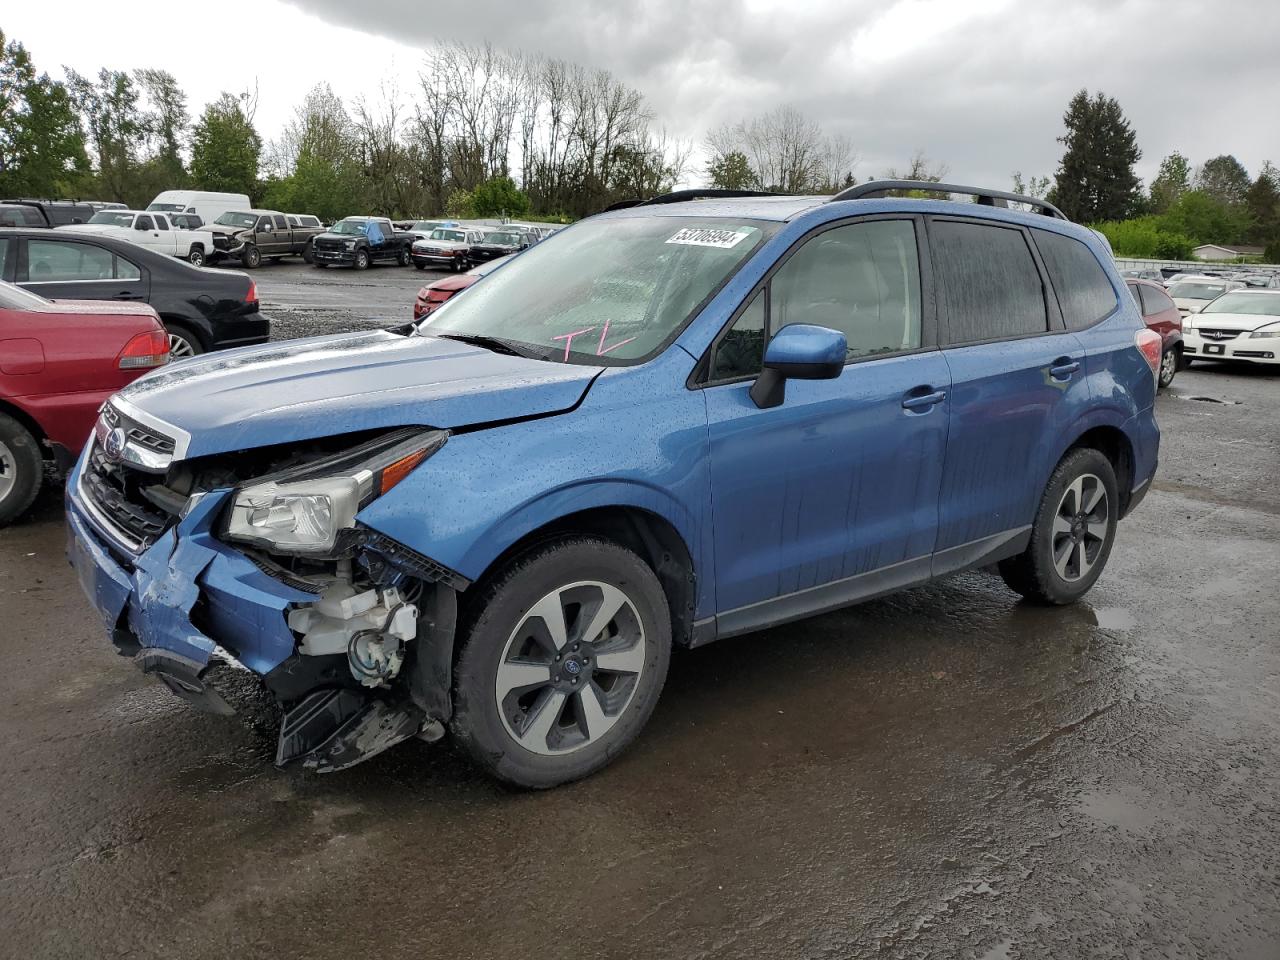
x=1073 y=532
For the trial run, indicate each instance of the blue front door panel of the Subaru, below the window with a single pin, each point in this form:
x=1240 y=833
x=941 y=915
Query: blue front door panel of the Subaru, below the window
x=836 y=482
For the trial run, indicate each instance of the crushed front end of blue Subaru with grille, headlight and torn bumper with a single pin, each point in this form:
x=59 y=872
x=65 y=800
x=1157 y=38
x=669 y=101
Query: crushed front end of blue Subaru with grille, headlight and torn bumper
x=203 y=569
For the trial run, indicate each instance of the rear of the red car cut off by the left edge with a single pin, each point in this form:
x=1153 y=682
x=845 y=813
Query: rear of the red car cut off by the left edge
x=58 y=364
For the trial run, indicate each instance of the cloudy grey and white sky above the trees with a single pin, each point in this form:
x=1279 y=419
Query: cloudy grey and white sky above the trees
x=980 y=85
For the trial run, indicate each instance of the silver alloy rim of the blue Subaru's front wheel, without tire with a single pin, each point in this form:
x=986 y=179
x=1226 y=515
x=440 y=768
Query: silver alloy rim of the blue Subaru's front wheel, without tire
x=570 y=669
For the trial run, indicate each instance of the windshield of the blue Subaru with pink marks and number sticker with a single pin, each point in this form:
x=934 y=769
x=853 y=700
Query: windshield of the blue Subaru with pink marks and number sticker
x=612 y=290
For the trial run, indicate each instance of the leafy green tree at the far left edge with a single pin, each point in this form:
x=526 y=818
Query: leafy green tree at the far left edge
x=42 y=143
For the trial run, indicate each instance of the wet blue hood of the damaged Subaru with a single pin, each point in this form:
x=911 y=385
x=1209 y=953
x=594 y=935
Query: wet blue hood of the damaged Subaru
x=327 y=386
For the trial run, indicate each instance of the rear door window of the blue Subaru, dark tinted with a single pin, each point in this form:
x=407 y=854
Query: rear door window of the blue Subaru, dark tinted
x=988 y=282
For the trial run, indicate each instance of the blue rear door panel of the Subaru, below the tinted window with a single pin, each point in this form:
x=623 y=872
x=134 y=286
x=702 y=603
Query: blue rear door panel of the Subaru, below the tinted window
x=1008 y=414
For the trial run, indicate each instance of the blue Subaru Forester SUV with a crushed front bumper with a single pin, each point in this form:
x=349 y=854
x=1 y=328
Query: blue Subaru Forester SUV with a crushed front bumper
x=669 y=424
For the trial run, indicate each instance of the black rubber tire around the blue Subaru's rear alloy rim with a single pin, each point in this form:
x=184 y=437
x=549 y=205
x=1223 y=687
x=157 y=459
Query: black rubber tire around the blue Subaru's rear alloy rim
x=1034 y=574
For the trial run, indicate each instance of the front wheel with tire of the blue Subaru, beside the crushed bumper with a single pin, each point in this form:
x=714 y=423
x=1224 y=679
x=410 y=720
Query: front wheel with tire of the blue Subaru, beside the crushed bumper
x=563 y=660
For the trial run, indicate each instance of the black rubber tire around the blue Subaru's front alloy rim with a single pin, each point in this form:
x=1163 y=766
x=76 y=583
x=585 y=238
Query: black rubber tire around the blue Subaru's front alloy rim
x=490 y=625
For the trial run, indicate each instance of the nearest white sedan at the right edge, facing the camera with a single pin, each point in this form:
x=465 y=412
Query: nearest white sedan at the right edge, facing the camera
x=1241 y=324
